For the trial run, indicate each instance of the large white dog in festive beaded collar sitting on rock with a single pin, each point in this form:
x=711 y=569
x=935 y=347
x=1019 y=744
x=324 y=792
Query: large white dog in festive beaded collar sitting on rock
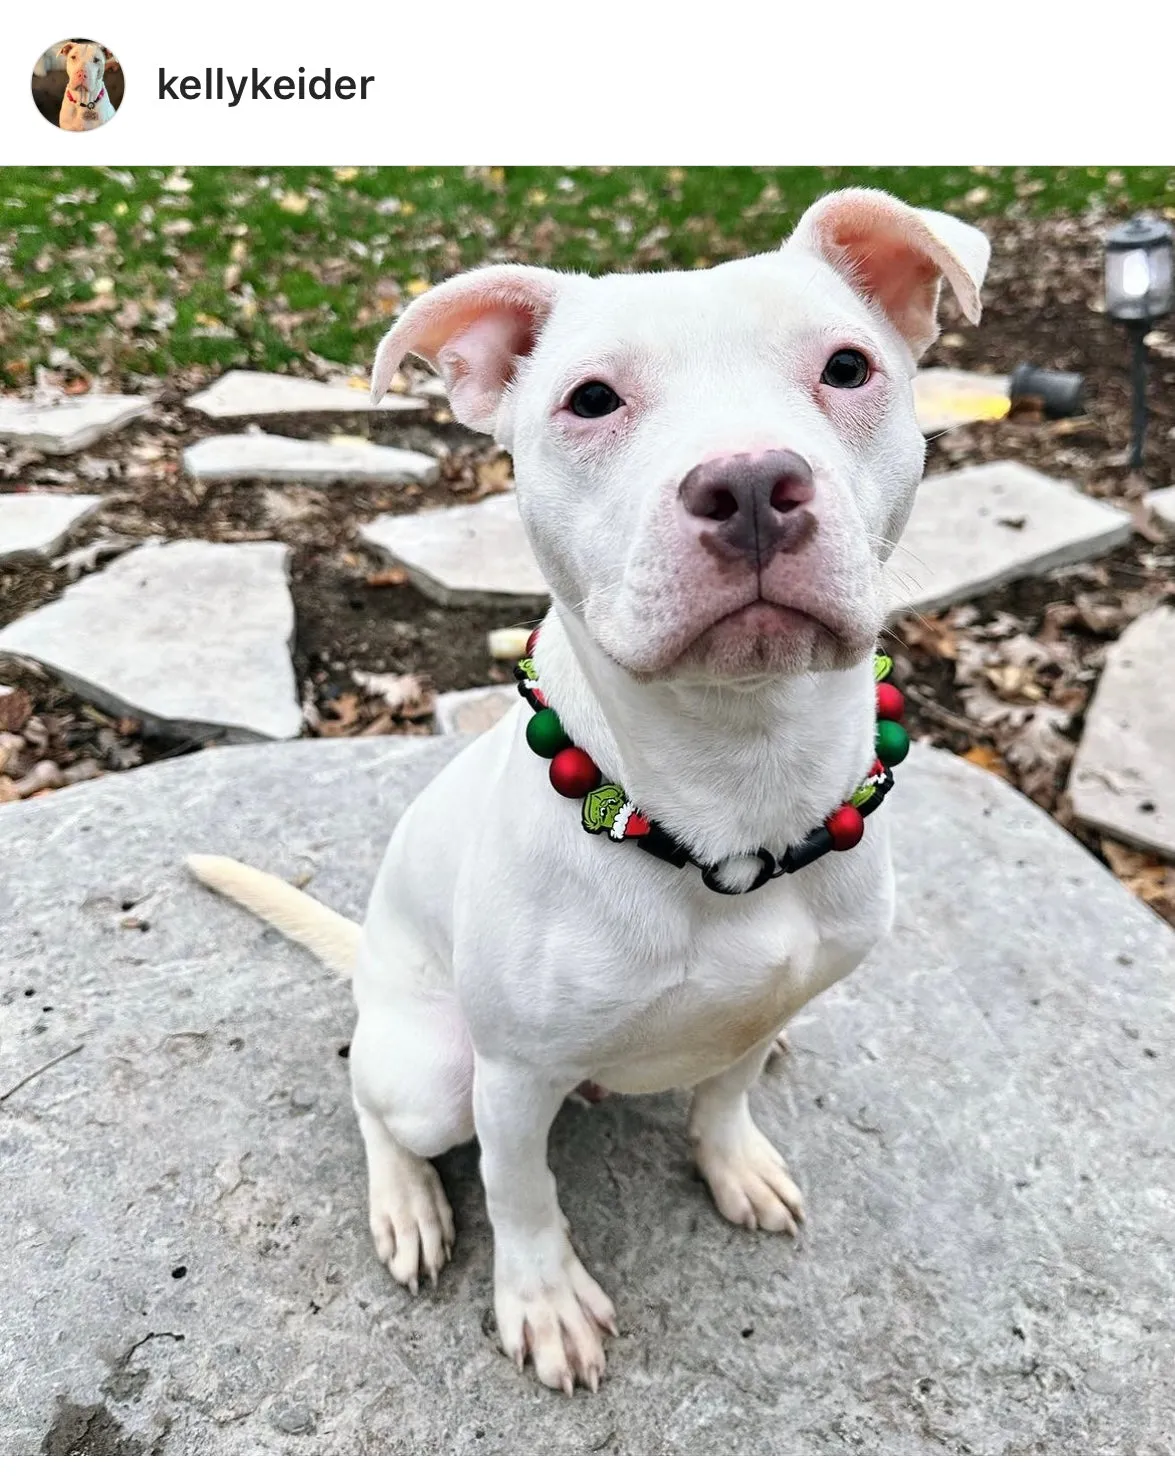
x=714 y=469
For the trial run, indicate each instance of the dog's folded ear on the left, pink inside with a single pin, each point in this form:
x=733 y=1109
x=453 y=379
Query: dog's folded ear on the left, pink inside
x=473 y=330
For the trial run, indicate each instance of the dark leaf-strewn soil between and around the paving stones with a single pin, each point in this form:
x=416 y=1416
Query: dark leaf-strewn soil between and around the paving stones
x=1005 y=680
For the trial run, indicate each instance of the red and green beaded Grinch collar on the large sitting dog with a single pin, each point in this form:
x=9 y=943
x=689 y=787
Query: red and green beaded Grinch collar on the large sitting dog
x=609 y=811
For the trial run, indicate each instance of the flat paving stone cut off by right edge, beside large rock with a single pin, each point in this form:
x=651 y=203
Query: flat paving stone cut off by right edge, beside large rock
x=1124 y=774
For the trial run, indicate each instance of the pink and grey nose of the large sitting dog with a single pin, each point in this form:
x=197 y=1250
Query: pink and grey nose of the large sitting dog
x=752 y=506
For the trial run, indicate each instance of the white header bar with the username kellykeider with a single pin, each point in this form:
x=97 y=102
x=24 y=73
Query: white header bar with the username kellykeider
x=646 y=82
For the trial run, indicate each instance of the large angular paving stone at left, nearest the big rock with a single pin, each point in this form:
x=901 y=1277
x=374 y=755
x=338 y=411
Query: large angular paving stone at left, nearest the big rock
x=191 y=638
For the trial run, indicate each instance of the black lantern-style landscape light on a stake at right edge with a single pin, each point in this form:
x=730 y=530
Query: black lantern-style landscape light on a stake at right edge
x=1140 y=290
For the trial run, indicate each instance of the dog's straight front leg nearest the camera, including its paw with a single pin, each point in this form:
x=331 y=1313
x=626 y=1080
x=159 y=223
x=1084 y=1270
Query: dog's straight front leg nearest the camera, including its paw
x=545 y=1303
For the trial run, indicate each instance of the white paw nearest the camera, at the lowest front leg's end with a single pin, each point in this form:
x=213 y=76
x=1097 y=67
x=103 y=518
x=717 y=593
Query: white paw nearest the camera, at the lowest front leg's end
x=557 y=1322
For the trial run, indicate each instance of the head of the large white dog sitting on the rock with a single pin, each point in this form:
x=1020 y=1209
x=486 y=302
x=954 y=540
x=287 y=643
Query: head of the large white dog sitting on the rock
x=712 y=466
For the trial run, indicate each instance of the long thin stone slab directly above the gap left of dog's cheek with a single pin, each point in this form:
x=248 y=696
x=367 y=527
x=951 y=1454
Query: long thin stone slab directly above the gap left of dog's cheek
x=317 y=464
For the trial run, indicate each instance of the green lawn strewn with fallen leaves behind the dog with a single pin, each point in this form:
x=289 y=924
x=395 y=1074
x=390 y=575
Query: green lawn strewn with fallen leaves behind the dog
x=148 y=271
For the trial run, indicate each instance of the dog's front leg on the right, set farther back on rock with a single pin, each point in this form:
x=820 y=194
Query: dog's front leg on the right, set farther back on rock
x=746 y=1176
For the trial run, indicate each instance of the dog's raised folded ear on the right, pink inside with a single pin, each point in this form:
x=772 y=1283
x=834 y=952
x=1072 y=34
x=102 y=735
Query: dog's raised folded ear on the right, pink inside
x=898 y=258
